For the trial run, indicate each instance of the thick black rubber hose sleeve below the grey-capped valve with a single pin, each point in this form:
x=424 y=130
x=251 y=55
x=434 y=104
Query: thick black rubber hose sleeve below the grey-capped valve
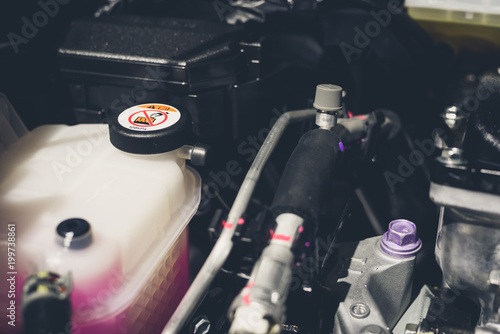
x=307 y=174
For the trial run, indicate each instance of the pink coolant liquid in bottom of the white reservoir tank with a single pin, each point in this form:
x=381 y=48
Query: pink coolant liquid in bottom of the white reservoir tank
x=148 y=311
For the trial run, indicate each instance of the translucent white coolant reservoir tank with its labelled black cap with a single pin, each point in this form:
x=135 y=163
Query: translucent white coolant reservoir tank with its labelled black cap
x=110 y=214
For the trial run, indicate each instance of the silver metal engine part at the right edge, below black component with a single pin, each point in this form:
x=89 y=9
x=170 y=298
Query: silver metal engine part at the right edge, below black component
x=468 y=247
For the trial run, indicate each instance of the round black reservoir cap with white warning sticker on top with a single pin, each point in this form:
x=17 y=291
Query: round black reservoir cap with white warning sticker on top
x=150 y=129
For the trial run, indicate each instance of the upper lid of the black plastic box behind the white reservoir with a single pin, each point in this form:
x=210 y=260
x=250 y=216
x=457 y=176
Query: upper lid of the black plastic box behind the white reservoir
x=193 y=54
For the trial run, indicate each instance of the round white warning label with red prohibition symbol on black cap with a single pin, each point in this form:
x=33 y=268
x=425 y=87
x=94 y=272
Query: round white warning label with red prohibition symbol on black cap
x=149 y=117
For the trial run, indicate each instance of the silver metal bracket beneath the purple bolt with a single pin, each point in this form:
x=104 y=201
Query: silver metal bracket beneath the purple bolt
x=373 y=287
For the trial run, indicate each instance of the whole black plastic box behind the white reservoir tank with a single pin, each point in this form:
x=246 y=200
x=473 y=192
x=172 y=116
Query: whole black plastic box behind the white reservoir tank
x=112 y=63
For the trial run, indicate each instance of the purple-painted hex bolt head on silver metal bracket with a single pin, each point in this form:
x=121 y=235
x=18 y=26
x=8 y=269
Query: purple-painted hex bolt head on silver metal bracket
x=401 y=239
